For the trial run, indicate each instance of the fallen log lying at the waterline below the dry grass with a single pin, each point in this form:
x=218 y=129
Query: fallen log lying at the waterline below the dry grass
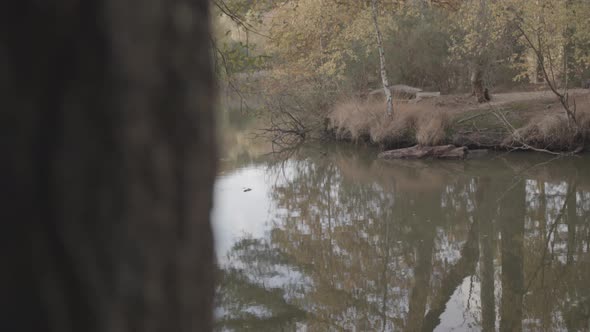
x=426 y=152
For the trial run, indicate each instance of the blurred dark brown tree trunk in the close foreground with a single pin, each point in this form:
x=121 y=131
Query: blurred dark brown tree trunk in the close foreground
x=108 y=165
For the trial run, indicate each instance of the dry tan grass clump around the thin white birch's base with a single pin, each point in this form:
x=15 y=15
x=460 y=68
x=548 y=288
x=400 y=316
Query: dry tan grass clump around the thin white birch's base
x=421 y=123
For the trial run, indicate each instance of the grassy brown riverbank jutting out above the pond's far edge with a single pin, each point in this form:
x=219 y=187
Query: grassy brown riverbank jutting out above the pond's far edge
x=514 y=120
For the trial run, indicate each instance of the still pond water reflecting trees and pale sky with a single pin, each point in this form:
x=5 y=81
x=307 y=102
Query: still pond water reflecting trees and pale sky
x=331 y=239
